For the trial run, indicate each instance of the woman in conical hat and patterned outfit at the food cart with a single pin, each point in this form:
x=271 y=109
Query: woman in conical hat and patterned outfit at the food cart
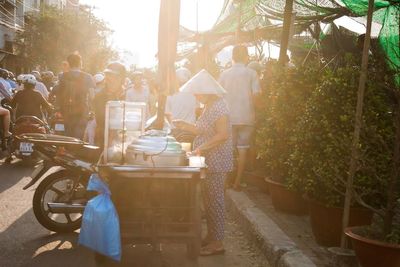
x=214 y=142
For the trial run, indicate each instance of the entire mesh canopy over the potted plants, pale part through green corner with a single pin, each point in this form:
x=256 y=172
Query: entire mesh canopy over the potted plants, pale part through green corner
x=252 y=20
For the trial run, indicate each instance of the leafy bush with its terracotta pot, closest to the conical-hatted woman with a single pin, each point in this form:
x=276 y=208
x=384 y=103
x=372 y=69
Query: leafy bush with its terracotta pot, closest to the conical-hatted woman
x=283 y=104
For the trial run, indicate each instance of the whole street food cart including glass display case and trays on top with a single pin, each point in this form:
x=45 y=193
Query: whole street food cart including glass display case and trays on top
x=155 y=204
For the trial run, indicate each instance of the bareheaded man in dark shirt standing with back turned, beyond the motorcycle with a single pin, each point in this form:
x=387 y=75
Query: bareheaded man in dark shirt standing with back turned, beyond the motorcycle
x=73 y=96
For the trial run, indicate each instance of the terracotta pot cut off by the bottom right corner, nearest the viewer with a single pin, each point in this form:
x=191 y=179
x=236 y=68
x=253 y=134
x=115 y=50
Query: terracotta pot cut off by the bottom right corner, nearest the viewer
x=372 y=253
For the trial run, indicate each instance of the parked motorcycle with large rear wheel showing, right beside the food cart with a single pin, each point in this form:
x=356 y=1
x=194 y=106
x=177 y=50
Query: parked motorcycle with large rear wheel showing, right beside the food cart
x=61 y=196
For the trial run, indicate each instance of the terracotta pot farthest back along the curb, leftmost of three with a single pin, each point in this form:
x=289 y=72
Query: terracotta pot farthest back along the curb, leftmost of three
x=286 y=200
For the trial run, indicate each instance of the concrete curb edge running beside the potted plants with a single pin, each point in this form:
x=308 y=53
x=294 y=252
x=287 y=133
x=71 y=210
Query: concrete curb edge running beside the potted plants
x=279 y=249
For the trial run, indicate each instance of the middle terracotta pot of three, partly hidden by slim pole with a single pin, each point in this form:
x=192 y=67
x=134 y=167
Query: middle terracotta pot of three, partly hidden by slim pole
x=326 y=222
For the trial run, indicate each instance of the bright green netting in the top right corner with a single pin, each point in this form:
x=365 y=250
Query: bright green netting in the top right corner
x=388 y=14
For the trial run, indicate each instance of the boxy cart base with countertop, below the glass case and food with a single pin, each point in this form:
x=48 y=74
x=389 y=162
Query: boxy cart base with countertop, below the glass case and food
x=157 y=205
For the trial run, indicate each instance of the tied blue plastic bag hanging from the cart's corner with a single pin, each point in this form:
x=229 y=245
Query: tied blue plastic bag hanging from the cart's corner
x=100 y=223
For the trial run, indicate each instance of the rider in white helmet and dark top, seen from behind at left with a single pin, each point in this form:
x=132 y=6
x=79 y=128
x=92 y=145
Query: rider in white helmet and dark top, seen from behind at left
x=29 y=102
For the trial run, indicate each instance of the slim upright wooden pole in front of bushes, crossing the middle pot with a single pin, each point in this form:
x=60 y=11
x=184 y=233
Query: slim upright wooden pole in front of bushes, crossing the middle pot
x=357 y=126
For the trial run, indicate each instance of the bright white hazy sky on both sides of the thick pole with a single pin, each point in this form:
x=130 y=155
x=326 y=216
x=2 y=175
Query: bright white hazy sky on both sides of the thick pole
x=135 y=23
